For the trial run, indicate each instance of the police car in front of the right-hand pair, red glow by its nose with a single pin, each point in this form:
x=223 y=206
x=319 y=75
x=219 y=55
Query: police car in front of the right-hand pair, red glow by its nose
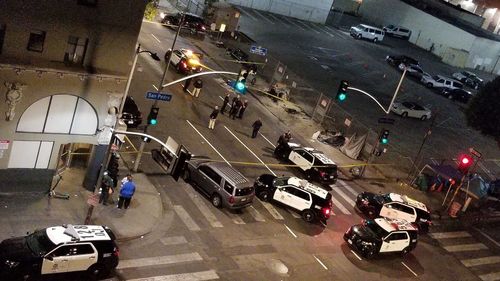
x=382 y=235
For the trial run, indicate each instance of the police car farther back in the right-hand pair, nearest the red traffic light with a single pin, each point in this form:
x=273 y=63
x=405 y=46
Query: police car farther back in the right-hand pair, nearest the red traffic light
x=394 y=206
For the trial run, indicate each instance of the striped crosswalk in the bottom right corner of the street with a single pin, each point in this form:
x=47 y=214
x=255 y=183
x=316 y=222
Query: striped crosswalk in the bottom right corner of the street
x=472 y=254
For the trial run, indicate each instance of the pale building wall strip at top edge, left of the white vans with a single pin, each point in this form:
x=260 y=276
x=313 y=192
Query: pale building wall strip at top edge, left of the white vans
x=309 y=10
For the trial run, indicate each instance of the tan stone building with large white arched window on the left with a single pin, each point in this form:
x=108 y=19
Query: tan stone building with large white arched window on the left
x=63 y=70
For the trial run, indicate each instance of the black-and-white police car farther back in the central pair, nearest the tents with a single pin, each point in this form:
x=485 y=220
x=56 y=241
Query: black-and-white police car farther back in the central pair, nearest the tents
x=315 y=165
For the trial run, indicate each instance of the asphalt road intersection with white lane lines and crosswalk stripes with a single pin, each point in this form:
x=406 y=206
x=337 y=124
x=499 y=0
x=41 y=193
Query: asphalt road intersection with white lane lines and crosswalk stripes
x=195 y=241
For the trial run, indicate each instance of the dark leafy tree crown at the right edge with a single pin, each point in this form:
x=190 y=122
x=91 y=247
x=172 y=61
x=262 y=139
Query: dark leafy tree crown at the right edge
x=483 y=113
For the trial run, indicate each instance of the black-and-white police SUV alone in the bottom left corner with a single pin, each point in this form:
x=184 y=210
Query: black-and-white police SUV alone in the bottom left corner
x=57 y=250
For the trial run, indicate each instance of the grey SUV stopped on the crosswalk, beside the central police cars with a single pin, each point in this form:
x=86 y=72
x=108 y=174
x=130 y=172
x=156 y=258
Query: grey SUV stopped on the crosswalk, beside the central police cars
x=223 y=184
